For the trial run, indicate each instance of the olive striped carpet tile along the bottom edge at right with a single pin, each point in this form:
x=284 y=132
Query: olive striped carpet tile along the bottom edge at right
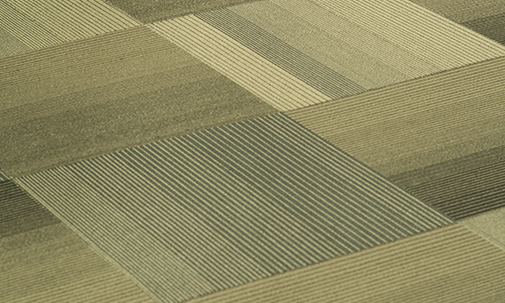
x=450 y=264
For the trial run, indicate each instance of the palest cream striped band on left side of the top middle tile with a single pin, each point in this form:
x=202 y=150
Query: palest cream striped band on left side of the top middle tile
x=272 y=84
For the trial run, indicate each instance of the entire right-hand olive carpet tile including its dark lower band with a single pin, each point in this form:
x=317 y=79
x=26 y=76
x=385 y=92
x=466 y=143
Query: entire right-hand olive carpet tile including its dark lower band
x=441 y=136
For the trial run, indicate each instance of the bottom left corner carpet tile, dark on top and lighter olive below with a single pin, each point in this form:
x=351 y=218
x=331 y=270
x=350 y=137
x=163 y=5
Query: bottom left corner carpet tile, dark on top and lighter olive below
x=41 y=260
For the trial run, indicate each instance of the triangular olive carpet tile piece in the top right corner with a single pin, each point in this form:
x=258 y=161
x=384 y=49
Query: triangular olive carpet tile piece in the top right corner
x=484 y=17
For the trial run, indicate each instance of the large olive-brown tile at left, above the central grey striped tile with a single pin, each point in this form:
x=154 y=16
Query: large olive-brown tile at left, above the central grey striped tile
x=128 y=88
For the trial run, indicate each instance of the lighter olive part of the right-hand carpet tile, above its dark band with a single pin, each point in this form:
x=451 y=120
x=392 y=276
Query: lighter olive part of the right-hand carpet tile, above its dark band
x=418 y=123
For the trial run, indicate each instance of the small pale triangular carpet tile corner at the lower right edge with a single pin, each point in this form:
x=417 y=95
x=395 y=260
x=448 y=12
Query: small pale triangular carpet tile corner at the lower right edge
x=490 y=225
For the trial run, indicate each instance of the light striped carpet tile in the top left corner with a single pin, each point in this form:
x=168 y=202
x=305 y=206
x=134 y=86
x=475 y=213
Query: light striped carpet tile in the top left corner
x=26 y=24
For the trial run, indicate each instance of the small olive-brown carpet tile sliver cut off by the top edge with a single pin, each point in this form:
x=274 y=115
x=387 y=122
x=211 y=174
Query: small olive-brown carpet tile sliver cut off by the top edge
x=149 y=11
